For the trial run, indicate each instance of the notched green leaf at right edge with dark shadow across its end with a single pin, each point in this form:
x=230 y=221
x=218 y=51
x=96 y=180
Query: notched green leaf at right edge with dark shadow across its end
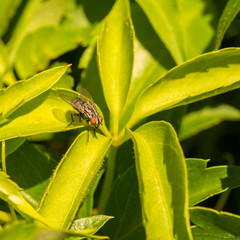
x=199 y=177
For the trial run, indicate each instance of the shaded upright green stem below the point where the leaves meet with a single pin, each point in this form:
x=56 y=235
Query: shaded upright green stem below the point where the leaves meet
x=108 y=179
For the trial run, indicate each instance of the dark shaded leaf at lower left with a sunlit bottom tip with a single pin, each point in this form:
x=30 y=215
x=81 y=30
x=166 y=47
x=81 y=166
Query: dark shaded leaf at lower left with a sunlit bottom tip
x=30 y=169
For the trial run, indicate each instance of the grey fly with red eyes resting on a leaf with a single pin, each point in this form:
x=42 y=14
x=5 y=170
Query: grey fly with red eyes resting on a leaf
x=86 y=108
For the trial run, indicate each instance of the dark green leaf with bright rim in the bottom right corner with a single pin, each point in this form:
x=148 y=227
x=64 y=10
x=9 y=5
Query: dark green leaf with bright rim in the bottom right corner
x=213 y=225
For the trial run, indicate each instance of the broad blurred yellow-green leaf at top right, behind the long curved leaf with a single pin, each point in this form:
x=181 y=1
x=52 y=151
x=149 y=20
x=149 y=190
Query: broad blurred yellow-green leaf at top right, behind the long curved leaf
x=179 y=36
